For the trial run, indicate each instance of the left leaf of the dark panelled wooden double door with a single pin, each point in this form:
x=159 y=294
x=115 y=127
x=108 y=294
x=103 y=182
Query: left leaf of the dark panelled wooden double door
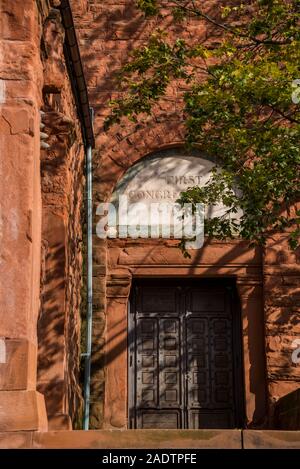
x=158 y=358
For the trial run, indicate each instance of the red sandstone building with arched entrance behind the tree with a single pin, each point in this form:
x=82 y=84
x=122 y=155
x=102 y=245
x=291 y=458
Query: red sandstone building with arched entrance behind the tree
x=202 y=343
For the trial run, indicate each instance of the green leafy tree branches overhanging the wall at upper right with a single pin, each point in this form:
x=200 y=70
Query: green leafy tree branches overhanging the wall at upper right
x=241 y=106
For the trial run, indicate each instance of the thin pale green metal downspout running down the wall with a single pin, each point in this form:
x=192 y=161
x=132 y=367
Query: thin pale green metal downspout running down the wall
x=89 y=316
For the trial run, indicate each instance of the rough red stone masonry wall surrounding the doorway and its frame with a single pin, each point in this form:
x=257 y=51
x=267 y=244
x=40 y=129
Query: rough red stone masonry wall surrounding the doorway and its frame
x=108 y=31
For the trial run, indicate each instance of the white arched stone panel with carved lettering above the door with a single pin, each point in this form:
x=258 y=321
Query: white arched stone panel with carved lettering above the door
x=157 y=182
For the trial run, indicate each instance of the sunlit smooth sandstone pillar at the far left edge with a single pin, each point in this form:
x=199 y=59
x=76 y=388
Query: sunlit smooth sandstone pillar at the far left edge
x=20 y=216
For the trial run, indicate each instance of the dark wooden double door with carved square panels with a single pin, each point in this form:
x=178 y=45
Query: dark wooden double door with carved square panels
x=184 y=355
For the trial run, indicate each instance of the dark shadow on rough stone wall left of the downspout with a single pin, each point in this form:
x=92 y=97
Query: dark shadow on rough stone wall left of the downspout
x=58 y=328
